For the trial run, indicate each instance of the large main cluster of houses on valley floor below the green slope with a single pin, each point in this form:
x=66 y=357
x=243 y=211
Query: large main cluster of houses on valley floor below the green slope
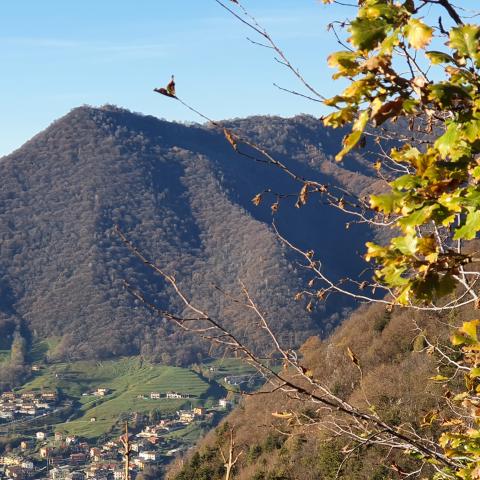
x=66 y=457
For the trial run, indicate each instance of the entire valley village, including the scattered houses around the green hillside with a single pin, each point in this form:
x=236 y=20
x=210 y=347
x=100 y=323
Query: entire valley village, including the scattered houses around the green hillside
x=55 y=455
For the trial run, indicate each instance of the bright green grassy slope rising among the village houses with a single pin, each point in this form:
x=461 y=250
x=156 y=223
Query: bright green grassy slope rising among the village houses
x=127 y=378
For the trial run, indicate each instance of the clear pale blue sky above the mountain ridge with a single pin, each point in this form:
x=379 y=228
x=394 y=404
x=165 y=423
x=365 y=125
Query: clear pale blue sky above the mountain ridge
x=59 y=54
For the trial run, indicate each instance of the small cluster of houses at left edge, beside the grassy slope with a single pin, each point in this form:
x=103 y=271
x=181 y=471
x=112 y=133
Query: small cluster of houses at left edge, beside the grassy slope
x=14 y=405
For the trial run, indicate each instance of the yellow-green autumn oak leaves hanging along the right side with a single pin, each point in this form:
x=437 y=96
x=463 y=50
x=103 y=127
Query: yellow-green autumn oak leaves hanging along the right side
x=434 y=203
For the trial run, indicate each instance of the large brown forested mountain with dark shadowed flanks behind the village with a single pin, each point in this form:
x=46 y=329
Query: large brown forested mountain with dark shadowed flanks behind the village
x=183 y=197
